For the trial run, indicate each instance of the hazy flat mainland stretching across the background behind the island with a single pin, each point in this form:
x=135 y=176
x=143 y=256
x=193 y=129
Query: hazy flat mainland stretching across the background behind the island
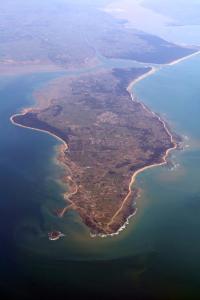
x=76 y=38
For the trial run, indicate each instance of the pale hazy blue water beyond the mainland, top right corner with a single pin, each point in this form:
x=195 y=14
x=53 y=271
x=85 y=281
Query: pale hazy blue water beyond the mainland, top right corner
x=175 y=20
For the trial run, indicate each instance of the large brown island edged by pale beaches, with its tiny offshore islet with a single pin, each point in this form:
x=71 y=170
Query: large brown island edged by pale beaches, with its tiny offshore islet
x=108 y=138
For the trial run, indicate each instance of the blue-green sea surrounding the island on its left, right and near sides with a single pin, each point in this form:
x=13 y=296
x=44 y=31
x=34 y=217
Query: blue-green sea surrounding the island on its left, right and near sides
x=156 y=257
